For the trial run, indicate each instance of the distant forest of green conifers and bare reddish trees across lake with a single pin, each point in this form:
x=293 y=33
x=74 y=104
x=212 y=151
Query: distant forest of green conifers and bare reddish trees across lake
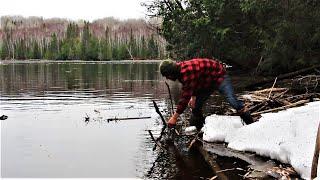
x=59 y=39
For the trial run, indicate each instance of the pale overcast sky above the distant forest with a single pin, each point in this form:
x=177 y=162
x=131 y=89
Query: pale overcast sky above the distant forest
x=74 y=9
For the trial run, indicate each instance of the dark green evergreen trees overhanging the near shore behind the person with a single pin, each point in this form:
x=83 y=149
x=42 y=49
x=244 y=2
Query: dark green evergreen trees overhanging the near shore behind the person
x=270 y=36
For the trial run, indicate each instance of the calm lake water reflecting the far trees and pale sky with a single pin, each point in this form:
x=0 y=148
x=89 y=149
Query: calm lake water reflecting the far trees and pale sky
x=46 y=135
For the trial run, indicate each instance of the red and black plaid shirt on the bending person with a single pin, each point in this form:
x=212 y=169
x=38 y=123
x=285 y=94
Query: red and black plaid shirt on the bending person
x=196 y=75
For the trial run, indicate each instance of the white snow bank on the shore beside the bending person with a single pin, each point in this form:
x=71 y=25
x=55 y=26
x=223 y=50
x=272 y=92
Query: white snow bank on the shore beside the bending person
x=288 y=136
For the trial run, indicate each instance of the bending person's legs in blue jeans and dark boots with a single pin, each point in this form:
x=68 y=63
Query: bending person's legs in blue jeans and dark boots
x=226 y=89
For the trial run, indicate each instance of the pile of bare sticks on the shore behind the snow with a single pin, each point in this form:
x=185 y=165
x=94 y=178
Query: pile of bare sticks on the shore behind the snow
x=275 y=99
